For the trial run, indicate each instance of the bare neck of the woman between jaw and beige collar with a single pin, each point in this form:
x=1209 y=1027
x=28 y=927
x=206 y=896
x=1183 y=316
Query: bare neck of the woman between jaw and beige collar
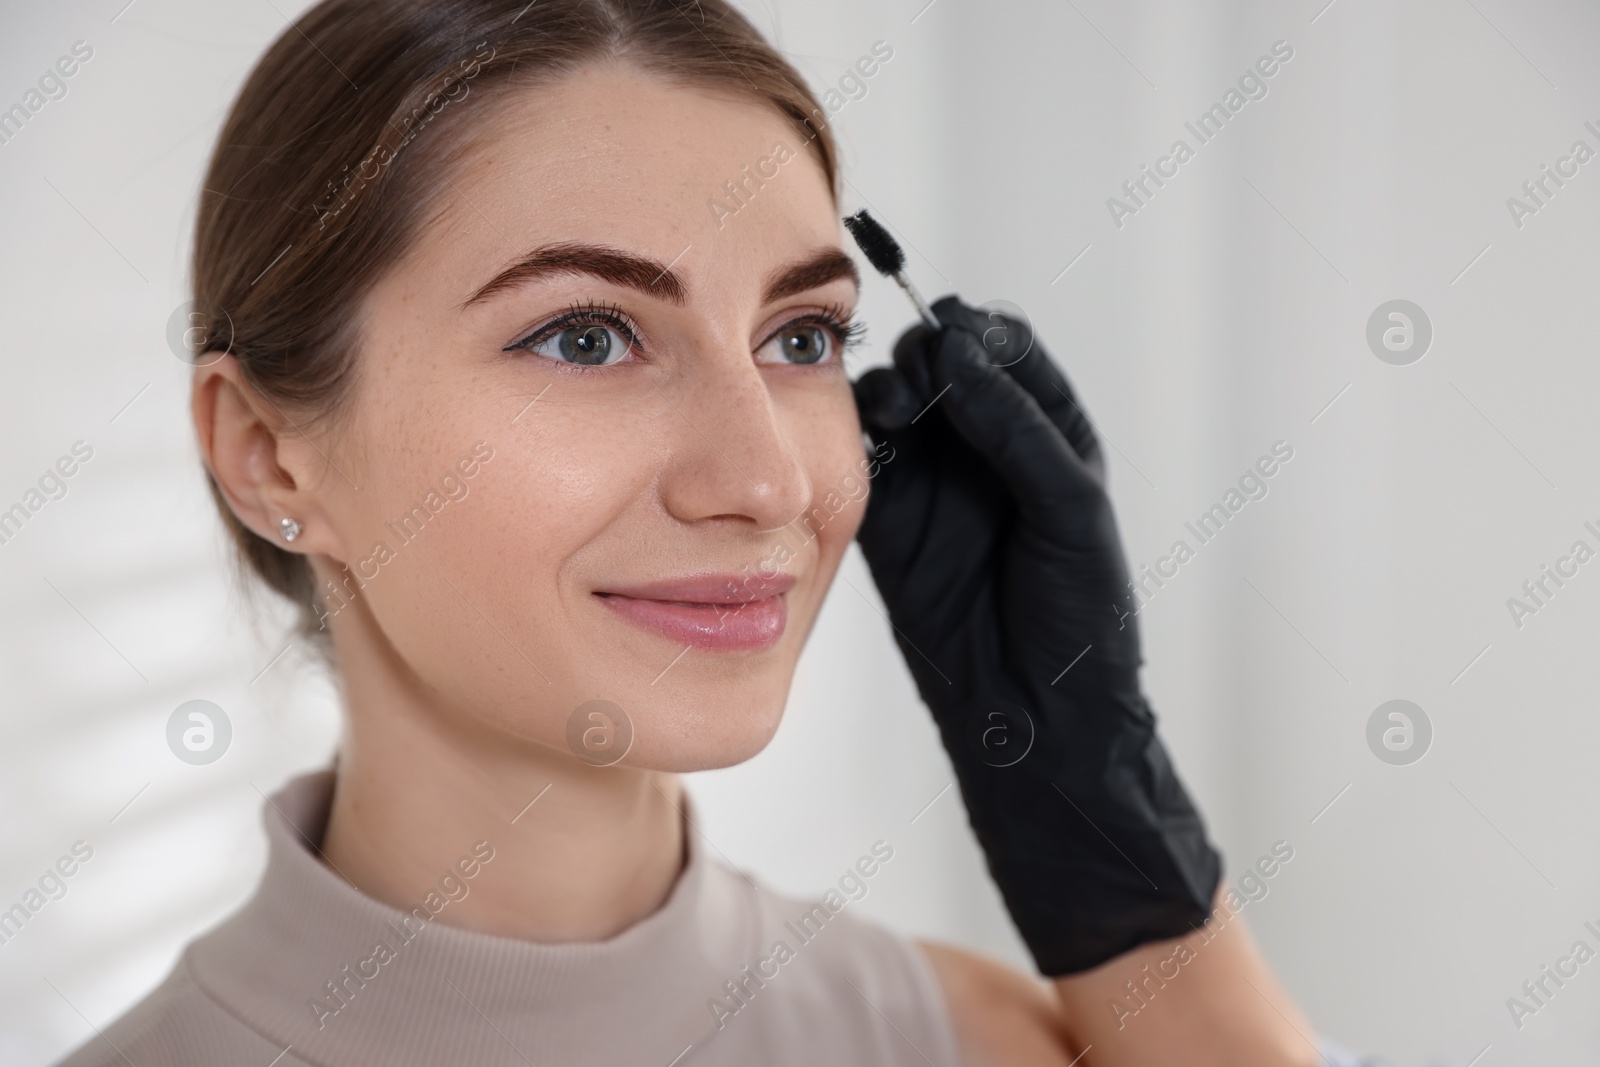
x=580 y=853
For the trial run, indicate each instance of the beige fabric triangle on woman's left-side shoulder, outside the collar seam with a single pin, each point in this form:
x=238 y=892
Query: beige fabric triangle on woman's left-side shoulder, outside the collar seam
x=177 y=1026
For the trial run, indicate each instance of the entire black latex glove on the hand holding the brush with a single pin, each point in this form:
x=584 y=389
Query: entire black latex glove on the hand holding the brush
x=994 y=546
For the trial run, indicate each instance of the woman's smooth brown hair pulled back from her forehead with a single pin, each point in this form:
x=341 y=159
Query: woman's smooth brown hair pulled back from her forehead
x=337 y=150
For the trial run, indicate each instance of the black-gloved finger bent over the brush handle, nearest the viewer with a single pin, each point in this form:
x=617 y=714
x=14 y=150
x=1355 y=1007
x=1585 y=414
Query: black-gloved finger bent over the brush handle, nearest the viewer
x=1047 y=479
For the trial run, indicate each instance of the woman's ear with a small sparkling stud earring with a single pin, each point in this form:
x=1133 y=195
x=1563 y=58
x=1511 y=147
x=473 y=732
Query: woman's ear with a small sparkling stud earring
x=266 y=468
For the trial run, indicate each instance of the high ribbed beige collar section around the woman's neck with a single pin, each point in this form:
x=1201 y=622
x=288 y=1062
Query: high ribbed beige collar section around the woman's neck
x=454 y=996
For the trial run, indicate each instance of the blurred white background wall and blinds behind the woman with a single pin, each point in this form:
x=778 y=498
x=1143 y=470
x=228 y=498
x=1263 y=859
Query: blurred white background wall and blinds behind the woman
x=1228 y=314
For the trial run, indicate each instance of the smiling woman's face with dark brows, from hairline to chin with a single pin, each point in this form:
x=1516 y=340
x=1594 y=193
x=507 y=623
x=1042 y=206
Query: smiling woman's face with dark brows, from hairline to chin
x=602 y=431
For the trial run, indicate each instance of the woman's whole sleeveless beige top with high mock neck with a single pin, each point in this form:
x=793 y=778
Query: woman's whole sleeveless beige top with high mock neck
x=726 y=973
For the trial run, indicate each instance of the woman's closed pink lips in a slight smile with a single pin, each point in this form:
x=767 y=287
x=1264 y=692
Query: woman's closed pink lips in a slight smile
x=713 y=612
